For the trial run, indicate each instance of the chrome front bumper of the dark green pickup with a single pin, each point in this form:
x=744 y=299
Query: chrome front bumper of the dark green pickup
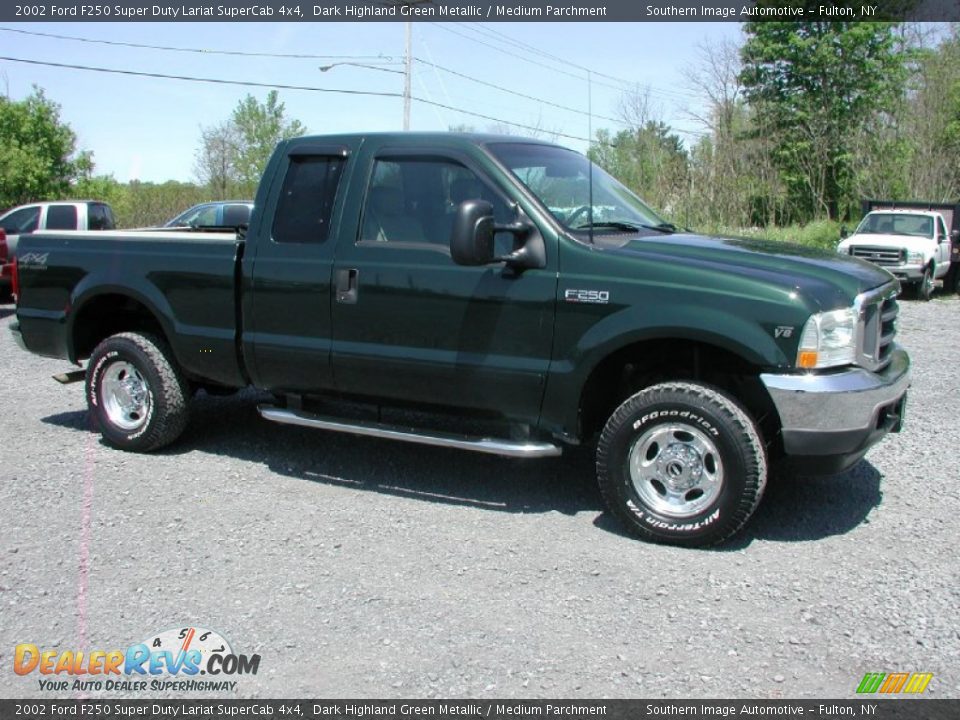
x=840 y=413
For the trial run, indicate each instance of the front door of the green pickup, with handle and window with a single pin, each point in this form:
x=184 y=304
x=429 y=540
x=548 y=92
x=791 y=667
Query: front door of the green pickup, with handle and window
x=410 y=324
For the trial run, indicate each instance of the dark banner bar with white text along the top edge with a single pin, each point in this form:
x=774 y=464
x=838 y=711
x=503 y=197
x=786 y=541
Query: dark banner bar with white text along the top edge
x=479 y=11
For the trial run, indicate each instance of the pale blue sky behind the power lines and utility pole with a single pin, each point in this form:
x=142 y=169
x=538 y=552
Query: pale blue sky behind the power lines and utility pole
x=149 y=128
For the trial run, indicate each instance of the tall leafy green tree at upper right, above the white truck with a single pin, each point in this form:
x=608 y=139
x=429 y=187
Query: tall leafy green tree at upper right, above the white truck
x=814 y=86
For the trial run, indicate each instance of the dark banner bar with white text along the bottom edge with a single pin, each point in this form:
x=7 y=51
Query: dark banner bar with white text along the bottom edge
x=868 y=706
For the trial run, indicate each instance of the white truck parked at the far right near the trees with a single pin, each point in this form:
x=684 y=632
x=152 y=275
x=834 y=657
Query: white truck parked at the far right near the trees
x=913 y=244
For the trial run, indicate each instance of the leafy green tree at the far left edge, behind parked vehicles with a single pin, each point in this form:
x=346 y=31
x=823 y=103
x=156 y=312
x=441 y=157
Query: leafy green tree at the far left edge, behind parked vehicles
x=38 y=152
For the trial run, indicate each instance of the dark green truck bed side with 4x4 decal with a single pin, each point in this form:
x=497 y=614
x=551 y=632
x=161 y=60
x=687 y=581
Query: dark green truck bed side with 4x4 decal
x=188 y=279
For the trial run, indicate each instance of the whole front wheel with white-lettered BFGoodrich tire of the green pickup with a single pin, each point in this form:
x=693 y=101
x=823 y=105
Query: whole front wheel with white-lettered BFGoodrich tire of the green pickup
x=681 y=463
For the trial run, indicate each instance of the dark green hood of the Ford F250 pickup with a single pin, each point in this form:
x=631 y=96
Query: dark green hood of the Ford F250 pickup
x=826 y=278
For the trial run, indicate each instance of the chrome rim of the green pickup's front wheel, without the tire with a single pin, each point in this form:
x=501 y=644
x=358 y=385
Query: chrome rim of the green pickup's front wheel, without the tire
x=676 y=470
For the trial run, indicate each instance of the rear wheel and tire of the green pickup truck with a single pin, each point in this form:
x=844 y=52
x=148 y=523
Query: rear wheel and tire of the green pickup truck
x=135 y=393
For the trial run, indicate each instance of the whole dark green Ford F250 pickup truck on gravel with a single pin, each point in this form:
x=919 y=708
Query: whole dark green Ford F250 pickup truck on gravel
x=511 y=298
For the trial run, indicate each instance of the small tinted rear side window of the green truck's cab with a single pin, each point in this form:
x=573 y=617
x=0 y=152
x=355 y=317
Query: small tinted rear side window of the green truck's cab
x=306 y=199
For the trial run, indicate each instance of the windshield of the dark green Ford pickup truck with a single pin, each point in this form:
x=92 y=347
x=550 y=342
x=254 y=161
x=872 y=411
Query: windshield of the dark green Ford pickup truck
x=560 y=179
